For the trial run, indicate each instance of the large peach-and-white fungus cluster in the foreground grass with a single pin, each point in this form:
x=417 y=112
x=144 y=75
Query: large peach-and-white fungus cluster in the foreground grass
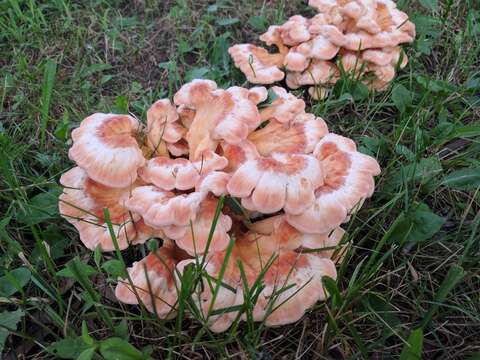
x=295 y=181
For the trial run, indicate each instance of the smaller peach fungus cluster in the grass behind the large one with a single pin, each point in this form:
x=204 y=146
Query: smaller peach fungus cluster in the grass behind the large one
x=360 y=37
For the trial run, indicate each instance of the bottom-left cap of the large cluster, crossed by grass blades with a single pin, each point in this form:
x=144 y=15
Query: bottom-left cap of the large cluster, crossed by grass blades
x=153 y=283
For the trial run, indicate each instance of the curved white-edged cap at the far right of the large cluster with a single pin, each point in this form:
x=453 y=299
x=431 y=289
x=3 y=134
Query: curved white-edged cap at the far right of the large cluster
x=348 y=181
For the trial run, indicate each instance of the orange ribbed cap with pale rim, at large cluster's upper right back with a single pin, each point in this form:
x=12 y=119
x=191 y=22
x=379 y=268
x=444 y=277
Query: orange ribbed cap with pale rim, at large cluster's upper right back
x=300 y=136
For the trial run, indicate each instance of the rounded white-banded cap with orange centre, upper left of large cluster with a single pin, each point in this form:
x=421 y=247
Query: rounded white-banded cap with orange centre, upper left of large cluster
x=105 y=146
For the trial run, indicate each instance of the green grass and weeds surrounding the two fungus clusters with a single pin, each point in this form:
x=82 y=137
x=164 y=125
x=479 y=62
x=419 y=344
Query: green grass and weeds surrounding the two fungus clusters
x=411 y=284
